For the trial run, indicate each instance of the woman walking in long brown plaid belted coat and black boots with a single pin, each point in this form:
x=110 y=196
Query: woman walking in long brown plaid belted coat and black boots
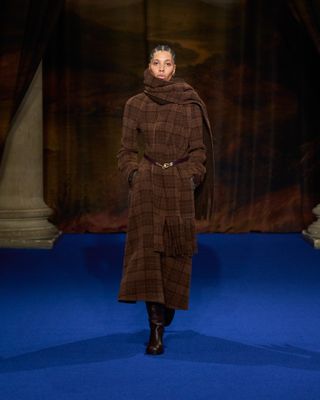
x=170 y=117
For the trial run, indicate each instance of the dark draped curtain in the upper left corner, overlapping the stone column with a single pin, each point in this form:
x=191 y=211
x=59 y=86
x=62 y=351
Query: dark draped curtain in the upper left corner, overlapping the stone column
x=25 y=27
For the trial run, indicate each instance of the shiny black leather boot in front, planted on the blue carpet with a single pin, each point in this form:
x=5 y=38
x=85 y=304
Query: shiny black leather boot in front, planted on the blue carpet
x=156 y=322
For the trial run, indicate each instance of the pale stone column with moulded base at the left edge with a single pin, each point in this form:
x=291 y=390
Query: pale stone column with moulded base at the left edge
x=23 y=212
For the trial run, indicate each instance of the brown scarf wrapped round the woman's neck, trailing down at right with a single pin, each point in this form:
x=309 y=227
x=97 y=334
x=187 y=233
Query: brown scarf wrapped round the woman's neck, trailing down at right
x=179 y=92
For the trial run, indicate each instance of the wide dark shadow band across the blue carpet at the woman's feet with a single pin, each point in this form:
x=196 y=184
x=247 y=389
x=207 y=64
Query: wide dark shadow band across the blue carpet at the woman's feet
x=180 y=346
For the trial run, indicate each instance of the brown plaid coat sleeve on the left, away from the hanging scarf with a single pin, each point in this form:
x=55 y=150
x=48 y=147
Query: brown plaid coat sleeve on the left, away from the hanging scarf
x=128 y=152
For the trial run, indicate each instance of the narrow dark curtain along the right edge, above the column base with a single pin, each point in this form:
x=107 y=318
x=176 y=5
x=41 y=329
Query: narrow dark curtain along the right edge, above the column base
x=304 y=38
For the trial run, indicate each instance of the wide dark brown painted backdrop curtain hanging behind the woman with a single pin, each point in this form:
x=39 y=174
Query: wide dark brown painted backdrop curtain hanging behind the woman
x=255 y=64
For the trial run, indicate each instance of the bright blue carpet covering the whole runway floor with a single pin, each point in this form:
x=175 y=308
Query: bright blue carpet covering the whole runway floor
x=252 y=331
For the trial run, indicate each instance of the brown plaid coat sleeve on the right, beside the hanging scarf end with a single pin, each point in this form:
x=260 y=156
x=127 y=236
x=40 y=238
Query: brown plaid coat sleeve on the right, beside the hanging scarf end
x=197 y=149
